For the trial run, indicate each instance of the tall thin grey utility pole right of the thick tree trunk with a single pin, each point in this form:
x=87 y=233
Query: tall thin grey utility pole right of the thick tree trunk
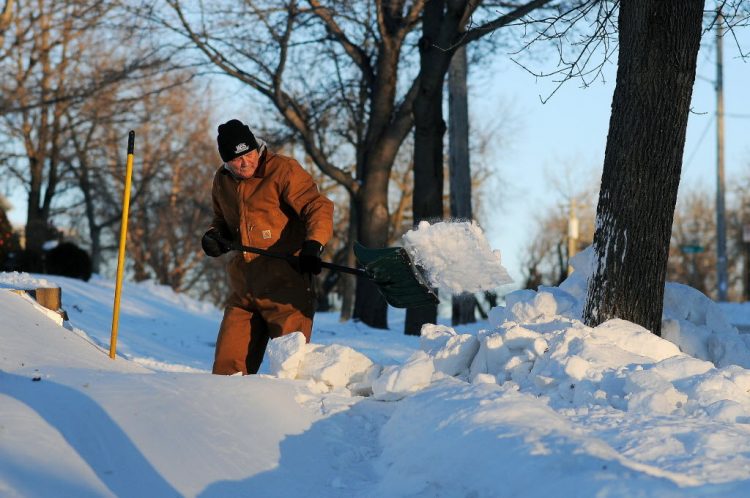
x=721 y=235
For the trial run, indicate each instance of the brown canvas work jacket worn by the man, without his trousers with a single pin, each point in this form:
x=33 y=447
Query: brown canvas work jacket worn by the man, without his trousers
x=277 y=209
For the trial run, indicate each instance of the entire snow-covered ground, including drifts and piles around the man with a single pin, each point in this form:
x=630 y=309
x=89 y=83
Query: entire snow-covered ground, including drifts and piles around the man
x=533 y=403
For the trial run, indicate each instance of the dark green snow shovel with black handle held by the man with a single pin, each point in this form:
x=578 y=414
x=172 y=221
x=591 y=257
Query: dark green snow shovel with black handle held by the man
x=399 y=280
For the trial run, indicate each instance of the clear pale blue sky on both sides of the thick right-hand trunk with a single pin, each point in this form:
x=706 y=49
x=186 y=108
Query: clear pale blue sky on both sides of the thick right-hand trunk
x=566 y=136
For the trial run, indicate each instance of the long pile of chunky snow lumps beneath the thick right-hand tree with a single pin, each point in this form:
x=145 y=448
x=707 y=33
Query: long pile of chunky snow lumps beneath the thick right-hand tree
x=617 y=365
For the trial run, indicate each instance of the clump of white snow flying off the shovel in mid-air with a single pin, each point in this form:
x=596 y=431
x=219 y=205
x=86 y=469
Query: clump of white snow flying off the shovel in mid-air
x=456 y=257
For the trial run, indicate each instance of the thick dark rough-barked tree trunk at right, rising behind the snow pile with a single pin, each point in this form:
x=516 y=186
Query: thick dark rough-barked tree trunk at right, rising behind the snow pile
x=656 y=70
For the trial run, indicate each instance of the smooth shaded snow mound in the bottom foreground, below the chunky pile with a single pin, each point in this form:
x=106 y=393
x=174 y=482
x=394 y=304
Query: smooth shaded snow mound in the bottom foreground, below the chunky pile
x=459 y=440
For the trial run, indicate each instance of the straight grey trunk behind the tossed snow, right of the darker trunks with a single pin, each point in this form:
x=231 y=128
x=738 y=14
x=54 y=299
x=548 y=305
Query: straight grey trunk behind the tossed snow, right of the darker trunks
x=459 y=166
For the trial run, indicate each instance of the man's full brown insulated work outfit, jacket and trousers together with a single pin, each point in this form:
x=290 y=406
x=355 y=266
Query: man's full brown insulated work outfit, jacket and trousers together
x=277 y=209
